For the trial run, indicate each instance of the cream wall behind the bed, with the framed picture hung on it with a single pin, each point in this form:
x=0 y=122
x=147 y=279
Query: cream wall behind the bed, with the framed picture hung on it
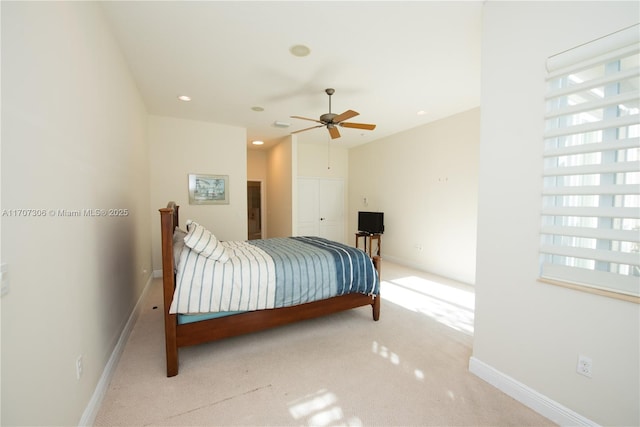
x=181 y=147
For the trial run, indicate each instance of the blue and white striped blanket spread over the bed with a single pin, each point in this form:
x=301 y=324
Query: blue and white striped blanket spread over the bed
x=271 y=273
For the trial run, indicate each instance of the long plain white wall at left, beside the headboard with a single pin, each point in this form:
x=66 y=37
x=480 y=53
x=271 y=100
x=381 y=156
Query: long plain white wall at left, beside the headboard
x=73 y=138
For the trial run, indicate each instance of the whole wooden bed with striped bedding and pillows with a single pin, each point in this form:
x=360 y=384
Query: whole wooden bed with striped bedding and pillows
x=190 y=321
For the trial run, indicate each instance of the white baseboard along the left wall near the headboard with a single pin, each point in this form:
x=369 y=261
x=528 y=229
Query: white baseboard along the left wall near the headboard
x=91 y=411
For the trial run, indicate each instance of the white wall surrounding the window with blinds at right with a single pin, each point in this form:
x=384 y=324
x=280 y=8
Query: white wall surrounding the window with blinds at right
x=529 y=331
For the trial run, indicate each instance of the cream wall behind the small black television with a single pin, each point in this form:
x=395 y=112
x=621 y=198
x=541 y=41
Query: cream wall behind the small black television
x=425 y=182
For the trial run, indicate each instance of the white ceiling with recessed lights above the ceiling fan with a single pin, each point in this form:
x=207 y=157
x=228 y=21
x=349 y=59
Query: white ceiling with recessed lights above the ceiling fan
x=386 y=60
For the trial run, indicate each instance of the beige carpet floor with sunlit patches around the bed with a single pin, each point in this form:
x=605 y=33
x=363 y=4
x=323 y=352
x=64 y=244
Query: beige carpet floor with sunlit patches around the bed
x=410 y=368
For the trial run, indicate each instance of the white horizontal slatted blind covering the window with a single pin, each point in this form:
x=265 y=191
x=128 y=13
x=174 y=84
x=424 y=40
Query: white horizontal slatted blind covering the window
x=590 y=228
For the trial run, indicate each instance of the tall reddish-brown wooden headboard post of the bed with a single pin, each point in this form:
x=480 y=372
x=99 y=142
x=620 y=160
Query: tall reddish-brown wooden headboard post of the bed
x=167 y=223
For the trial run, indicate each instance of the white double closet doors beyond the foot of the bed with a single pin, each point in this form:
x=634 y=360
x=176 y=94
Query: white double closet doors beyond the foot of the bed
x=321 y=208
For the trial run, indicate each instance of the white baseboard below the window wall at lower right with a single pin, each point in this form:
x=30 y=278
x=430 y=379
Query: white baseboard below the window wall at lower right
x=551 y=409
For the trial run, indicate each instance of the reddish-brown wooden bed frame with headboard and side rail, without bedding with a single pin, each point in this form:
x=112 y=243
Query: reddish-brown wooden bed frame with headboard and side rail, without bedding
x=177 y=336
